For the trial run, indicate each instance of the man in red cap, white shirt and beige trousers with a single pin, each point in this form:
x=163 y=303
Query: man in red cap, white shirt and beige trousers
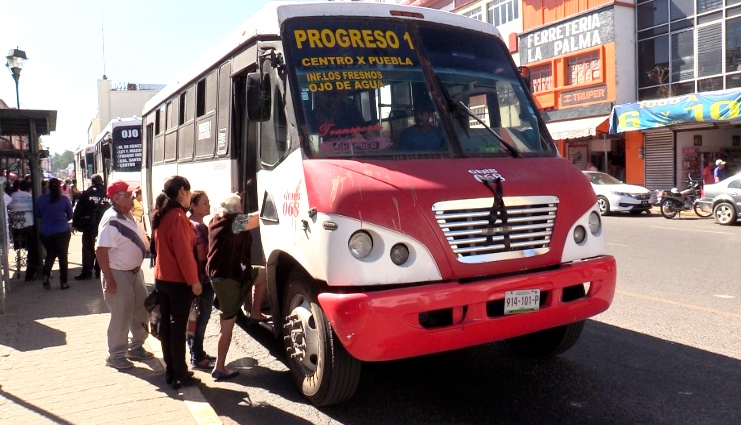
x=120 y=252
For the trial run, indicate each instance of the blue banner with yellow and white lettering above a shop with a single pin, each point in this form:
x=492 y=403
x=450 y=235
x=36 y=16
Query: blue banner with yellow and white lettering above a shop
x=717 y=106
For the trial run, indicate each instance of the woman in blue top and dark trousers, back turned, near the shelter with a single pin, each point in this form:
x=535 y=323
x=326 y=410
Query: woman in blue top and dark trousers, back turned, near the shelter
x=55 y=212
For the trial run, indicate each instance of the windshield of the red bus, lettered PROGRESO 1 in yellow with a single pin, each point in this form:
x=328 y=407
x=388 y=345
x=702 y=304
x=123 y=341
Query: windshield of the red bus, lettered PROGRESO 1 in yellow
x=392 y=88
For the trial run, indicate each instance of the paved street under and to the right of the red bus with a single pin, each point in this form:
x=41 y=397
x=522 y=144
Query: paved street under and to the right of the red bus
x=668 y=351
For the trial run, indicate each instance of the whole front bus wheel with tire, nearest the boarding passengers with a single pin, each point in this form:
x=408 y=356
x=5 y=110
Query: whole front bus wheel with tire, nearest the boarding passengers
x=320 y=366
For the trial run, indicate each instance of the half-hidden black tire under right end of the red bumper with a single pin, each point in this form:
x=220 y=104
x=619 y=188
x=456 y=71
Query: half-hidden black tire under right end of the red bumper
x=548 y=342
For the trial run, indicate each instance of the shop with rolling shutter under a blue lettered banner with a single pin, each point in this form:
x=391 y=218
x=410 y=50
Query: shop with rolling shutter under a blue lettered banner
x=683 y=134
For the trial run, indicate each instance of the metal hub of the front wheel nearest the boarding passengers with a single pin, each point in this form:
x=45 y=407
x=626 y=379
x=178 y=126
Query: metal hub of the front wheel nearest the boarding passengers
x=303 y=336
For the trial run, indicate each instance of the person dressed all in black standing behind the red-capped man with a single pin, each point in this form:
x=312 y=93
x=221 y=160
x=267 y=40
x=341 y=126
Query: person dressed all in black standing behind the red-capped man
x=90 y=209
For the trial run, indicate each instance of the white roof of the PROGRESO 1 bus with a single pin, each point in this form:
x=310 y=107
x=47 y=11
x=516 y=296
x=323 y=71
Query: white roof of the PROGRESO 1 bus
x=267 y=20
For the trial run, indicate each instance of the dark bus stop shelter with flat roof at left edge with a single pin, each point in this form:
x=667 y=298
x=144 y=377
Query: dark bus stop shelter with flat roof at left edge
x=32 y=124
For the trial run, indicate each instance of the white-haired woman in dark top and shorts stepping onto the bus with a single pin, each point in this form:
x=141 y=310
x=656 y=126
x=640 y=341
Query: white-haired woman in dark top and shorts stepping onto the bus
x=230 y=268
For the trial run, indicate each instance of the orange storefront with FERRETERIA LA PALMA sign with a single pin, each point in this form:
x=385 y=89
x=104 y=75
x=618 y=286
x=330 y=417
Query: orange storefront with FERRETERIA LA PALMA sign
x=573 y=67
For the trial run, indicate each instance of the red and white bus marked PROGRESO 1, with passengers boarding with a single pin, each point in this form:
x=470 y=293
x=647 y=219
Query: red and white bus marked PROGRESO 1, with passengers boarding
x=410 y=196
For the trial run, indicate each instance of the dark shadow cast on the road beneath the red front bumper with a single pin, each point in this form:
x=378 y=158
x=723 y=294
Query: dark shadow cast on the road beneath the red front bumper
x=640 y=379
